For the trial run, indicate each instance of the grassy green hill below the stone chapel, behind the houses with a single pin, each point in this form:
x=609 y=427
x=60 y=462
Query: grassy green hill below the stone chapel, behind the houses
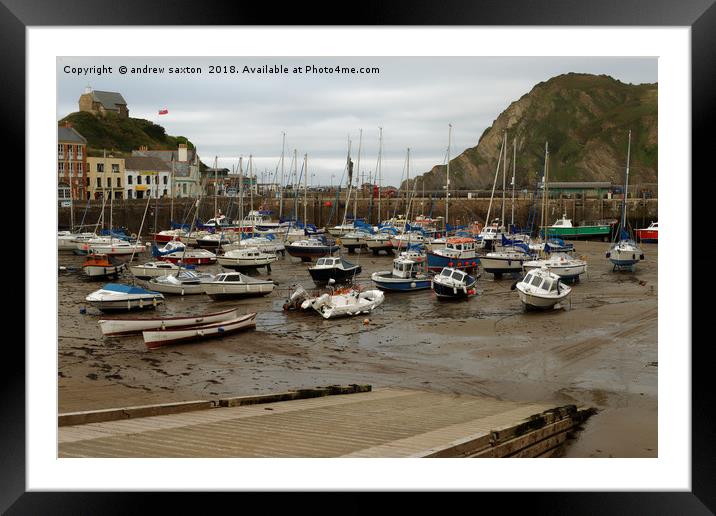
x=121 y=135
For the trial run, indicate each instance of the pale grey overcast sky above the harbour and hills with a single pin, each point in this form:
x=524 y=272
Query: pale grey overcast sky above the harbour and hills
x=413 y=99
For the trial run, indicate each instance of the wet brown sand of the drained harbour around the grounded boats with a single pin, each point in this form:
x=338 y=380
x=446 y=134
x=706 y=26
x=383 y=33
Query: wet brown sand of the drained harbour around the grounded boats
x=600 y=350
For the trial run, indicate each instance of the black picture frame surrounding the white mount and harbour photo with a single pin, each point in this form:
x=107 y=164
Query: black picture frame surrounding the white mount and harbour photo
x=699 y=15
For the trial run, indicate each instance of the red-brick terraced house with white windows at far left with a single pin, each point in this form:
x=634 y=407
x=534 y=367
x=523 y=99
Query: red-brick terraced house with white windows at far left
x=71 y=164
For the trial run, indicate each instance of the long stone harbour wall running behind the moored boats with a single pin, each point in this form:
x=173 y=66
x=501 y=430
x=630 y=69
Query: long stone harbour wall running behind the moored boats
x=323 y=211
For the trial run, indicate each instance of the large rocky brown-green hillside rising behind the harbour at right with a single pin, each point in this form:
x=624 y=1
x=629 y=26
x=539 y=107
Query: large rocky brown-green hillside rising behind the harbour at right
x=585 y=118
